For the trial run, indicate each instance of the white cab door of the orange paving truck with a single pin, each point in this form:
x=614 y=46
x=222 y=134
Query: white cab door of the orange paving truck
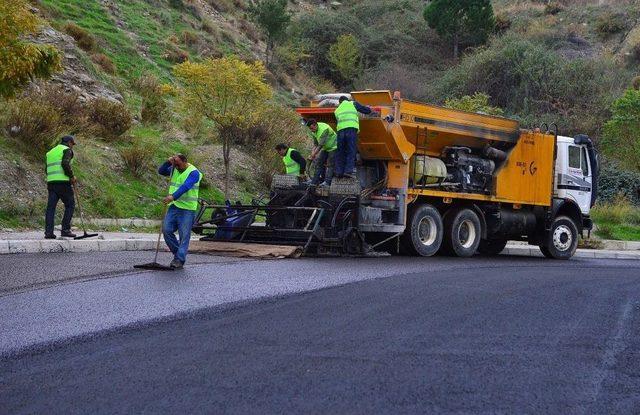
x=576 y=179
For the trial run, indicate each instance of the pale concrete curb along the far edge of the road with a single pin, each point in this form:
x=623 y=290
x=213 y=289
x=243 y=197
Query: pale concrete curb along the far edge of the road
x=112 y=245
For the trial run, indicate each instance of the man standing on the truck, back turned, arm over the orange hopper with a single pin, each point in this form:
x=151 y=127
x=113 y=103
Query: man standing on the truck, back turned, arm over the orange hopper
x=348 y=125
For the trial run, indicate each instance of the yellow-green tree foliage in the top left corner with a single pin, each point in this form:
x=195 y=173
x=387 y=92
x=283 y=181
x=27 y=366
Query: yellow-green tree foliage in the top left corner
x=20 y=60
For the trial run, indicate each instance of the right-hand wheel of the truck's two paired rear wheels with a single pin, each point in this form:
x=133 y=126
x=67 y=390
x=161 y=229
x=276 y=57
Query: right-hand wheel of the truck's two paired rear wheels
x=462 y=233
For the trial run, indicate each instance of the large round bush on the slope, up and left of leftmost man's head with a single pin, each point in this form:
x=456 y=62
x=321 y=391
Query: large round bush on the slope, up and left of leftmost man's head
x=34 y=124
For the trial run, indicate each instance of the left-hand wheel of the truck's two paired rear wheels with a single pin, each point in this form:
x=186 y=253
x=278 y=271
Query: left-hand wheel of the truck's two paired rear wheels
x=424 y=232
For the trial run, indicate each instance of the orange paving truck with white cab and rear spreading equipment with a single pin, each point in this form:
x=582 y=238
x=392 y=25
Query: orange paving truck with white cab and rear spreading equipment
x=432 y=179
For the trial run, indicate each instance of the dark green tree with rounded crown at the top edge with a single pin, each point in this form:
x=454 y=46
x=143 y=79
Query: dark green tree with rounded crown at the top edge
x=461 y=21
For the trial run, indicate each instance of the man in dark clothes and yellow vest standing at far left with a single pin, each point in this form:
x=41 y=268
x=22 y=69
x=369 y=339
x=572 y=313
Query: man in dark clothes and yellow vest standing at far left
x=60 y=181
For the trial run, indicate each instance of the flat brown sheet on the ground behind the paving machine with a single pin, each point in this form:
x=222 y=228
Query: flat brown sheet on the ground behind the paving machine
x=245 y=250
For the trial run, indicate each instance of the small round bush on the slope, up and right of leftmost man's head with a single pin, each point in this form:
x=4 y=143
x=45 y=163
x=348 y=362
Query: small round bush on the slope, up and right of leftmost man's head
x=111 y=118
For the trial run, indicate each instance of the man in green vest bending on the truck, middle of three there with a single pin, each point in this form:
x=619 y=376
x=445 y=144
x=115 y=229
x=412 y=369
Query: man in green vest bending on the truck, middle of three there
x=324 y=150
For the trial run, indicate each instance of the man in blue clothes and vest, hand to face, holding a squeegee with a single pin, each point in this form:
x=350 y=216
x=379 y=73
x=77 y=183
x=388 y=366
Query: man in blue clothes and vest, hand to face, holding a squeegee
x=183 y=204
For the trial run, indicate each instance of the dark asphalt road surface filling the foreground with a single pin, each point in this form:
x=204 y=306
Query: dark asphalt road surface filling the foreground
x=557 y=338
